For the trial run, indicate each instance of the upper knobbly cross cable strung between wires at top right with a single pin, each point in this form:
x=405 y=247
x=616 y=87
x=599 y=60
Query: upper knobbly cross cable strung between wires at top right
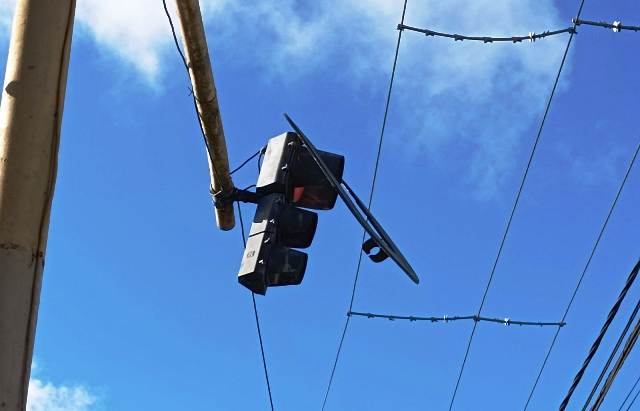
x=616 y=26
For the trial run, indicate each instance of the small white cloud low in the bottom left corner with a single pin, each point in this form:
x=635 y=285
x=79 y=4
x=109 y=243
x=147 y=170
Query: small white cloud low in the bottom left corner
x=49 y=397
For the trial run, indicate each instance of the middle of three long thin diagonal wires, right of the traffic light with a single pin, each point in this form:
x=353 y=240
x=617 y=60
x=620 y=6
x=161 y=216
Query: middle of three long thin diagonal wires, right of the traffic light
x=513 y=210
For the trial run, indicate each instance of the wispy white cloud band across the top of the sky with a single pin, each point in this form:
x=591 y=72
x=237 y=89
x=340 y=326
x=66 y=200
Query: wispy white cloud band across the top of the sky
x=450 y=94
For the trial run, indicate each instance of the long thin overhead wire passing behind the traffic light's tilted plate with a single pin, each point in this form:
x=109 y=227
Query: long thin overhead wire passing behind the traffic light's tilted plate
x=373 y=184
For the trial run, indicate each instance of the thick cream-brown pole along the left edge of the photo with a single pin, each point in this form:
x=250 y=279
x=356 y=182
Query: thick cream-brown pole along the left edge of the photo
x=30 y=119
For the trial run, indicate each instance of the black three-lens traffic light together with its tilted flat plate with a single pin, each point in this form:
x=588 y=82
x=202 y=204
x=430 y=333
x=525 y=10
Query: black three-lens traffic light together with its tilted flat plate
x=296 y=174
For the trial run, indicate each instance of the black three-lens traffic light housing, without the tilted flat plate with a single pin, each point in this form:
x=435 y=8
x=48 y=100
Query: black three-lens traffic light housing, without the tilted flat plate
x=289 y=178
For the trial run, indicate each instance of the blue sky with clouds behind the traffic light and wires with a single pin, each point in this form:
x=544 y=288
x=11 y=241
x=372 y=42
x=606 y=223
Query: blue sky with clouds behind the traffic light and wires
x=140 y=304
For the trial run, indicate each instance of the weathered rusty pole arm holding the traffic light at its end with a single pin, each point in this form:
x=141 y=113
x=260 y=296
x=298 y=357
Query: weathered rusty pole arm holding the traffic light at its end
x=204 y=89
